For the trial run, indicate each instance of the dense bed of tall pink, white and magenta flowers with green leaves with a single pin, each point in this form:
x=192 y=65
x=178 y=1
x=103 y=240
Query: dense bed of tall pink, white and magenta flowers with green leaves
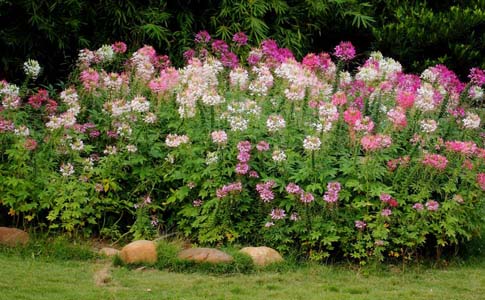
x=249 y=145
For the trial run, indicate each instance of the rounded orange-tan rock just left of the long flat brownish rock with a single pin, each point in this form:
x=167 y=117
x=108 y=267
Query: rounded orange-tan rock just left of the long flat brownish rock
x=139 y=252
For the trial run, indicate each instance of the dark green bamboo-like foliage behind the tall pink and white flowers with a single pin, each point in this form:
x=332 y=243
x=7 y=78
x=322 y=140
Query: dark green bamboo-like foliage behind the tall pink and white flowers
x=416 y=33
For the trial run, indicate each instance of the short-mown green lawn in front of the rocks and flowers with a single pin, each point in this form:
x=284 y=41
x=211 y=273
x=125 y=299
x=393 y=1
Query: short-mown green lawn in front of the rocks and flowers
x=27 y=278
